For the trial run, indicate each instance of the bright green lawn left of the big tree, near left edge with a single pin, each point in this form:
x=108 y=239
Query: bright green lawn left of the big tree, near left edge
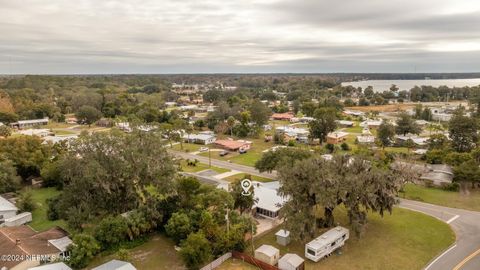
x=40 y=221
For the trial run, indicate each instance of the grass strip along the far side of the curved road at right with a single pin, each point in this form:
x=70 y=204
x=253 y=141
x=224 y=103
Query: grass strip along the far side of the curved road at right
x=443 y=197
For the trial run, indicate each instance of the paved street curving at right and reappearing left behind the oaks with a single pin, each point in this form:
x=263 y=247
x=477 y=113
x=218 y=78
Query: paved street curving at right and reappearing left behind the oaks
x=463 y=255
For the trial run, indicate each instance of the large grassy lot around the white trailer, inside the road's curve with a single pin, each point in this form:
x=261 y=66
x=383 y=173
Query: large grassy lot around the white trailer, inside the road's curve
x=404 y=240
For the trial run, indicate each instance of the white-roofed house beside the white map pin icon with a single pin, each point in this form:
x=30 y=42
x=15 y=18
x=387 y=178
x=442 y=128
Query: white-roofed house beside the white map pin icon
x=268 y=202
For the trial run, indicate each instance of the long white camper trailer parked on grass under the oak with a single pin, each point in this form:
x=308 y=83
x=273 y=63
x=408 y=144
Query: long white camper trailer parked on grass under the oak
x=326 y=243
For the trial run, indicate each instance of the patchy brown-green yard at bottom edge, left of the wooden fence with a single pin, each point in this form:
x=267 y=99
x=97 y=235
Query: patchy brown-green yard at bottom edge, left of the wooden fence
x=157 y=253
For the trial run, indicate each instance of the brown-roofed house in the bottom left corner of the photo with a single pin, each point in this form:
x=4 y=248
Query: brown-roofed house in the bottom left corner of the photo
x=36 y=246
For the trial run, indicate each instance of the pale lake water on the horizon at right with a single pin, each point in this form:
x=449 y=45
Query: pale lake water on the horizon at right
x=383 y=85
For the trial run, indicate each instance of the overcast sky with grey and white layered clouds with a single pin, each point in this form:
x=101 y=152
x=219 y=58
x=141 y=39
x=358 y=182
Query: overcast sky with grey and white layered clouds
x=241 y=36
